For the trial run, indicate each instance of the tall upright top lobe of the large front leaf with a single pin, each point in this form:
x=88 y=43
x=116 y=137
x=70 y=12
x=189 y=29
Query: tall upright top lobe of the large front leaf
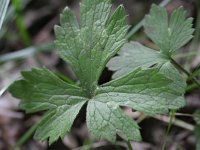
x=88 y=47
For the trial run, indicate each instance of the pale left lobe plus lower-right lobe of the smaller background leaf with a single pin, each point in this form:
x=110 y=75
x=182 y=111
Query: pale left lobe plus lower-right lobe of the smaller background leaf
x=134 y=55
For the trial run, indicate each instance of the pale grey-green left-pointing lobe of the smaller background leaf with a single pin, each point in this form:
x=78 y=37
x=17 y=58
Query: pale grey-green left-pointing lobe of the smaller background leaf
x=132 y=56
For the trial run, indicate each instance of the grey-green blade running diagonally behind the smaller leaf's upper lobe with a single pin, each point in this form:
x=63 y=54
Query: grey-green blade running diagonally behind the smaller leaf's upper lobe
x=140 y=24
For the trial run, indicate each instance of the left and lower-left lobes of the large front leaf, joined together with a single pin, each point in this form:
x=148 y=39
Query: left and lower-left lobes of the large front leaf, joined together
x=42 y=90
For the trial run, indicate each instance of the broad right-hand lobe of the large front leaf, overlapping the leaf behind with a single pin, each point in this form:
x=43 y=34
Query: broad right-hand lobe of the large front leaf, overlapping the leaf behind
x=142 y=90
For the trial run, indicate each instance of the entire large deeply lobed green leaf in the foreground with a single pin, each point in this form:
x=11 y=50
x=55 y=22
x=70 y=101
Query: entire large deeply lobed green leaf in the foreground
x=87 y=46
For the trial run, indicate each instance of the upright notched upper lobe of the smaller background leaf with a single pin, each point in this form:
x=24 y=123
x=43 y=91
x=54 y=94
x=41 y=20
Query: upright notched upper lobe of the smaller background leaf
x=168 y=34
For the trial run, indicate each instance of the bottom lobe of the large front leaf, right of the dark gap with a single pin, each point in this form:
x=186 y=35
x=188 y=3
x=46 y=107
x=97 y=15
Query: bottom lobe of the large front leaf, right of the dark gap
x=107 y=119
